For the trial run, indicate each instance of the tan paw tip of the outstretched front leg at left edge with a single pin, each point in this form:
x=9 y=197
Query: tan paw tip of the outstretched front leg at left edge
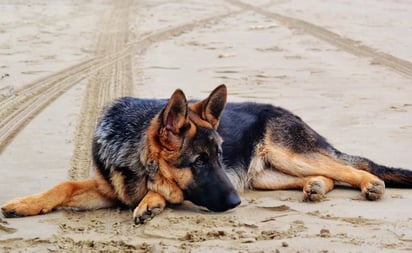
x=27 y=206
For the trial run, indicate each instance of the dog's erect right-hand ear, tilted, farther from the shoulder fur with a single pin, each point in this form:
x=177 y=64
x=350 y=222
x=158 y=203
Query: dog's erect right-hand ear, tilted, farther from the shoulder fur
x=211 y=108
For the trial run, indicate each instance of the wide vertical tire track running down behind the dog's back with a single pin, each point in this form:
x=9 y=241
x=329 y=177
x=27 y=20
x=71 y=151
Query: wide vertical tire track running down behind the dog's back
x=105 y=85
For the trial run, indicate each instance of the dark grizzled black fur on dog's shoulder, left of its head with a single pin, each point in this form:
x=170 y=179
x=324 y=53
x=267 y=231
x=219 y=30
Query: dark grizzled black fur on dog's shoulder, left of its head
x=119 y=140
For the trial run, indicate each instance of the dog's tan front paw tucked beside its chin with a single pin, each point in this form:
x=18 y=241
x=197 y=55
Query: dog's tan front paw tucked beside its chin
x=151 y=205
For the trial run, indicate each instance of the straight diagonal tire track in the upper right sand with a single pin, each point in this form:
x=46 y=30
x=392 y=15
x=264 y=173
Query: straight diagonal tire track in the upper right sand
x=351 y=46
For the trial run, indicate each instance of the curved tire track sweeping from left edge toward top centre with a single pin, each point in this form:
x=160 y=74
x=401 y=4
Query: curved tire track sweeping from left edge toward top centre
x=18 y=110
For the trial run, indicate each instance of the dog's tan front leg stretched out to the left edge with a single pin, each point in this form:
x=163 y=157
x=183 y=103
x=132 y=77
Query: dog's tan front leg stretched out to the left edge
x=88 y=194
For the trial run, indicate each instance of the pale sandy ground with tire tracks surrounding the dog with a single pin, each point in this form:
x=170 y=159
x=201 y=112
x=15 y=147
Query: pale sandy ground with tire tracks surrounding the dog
x=343 y=66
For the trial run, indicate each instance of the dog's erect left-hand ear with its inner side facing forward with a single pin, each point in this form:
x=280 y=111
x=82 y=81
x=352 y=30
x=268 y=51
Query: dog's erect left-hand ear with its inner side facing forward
x=175 y=112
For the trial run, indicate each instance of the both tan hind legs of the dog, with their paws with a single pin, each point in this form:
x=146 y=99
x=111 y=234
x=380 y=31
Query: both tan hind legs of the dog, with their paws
x=273 y=168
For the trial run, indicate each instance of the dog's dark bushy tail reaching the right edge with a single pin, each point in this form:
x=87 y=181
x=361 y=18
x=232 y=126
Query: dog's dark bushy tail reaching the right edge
x=393 y=177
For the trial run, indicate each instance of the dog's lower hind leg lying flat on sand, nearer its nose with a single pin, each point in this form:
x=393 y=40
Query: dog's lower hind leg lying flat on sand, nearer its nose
x=314 y=187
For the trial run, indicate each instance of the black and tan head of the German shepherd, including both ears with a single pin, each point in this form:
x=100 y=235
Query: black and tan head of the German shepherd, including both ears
x=190 y=152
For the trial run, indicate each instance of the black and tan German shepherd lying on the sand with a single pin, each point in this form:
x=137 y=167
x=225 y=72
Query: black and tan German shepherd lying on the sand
x=150 y=152
